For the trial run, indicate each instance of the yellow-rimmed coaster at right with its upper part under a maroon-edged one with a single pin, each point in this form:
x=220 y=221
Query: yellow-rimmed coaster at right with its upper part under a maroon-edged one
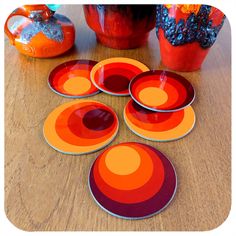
x=158 y=126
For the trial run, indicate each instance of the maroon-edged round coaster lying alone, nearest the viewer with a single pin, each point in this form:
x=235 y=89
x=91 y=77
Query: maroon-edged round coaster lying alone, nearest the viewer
x=132 y=180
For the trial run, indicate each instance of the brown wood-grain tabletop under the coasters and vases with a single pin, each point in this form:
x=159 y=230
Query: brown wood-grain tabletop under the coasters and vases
x=46 y=190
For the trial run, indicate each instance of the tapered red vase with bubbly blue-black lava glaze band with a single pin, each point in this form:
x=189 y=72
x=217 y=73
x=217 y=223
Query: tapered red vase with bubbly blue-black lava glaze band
x=186 y=33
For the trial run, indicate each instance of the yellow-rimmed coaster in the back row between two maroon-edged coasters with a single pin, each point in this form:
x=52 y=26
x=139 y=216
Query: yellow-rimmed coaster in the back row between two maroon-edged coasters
x=113 y=75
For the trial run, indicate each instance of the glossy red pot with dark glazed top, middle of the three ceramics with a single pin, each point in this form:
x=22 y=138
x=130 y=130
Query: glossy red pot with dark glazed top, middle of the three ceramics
x=121 y=26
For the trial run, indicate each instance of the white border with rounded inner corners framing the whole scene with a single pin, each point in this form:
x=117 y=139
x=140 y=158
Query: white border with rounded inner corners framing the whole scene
x=227 y=6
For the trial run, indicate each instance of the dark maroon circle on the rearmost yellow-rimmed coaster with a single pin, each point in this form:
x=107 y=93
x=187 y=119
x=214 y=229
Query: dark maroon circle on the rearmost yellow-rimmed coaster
x=116 y=83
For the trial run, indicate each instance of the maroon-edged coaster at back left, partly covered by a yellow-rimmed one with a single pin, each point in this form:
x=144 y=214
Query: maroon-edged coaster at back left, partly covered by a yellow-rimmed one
x=72 y=79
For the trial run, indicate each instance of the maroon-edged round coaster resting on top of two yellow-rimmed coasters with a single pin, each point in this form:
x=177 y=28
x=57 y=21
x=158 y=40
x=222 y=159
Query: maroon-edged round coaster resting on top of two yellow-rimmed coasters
x=161 y=91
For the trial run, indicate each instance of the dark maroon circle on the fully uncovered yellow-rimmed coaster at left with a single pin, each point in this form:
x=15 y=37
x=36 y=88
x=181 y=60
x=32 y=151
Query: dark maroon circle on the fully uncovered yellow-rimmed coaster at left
x=98 y=119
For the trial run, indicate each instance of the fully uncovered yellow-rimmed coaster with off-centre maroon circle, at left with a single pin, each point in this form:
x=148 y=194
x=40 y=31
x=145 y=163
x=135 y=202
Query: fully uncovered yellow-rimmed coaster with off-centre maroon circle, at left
x=80 y=127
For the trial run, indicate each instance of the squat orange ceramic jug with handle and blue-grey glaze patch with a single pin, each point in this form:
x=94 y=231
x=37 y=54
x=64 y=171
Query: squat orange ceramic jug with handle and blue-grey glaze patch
x=40 y=32
